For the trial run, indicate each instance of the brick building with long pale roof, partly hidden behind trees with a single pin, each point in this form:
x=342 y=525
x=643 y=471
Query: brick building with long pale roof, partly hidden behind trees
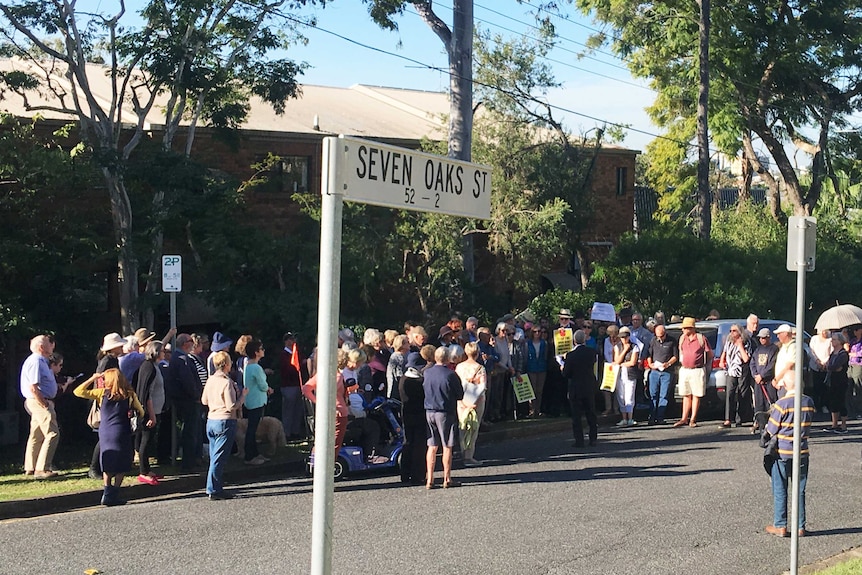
x=395 y=116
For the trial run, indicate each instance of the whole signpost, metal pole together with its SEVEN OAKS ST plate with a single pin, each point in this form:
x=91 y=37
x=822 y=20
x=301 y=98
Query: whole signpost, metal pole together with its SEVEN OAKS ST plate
x=371 y=173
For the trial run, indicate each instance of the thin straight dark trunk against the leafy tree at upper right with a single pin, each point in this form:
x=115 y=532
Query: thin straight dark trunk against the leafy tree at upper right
x=703 y=217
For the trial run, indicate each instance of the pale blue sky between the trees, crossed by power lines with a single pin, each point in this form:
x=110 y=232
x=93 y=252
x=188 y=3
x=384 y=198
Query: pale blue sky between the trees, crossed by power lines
x=599 y=87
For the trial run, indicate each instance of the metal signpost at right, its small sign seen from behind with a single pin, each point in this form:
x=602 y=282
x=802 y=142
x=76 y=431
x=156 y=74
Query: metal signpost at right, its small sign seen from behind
x=801 y=245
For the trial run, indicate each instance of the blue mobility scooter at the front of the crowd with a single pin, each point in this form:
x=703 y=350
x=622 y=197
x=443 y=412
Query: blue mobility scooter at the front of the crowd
x=352 y=458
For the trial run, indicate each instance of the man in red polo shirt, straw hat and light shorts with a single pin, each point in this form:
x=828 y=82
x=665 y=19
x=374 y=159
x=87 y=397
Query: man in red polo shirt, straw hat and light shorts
x=695 y=357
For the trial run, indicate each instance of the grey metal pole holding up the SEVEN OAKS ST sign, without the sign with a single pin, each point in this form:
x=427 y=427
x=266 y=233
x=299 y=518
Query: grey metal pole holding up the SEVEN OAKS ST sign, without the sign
x=327 y=343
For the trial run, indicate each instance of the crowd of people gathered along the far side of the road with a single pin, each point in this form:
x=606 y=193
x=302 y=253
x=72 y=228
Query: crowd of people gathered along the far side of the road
x=448 y=388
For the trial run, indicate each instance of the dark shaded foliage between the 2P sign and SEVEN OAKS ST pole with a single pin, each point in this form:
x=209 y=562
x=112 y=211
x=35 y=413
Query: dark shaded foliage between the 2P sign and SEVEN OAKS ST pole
x=261 y=280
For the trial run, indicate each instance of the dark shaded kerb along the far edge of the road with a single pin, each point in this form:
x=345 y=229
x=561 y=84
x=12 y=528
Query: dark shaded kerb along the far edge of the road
x=293 y=466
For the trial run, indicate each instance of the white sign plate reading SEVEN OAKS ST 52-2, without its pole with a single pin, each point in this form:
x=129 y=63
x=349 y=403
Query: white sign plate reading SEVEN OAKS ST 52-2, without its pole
x=389 y=176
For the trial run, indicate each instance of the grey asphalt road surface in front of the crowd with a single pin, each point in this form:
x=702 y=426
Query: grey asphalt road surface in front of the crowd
x=646 y=501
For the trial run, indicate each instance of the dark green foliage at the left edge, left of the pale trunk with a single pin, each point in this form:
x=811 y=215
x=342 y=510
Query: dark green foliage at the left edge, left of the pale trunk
x=52 y=252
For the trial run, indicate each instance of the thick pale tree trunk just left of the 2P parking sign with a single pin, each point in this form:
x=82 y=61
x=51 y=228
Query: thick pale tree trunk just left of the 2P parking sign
x=127 y=264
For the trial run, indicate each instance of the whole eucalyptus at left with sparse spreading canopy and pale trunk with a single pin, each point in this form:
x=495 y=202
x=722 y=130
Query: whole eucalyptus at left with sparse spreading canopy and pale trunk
x=206 y=58
